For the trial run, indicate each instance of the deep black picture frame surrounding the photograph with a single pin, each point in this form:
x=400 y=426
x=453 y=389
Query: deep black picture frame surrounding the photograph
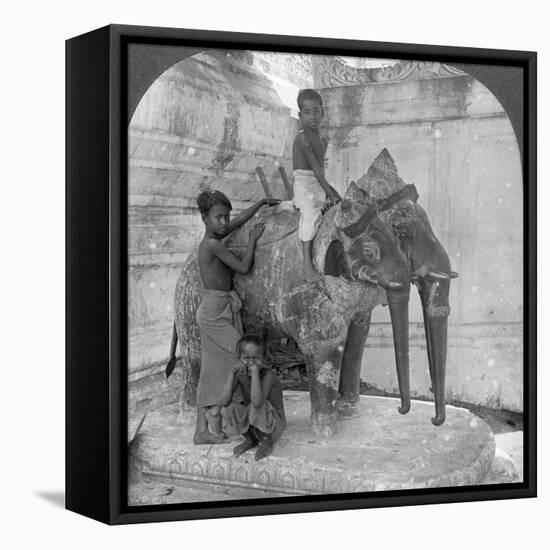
x=98 y=109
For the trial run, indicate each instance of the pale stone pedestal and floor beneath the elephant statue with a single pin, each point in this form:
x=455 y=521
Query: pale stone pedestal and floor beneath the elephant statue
x=377 y=451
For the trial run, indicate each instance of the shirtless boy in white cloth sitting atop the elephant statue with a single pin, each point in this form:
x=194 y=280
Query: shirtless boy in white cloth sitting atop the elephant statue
x=311 y=189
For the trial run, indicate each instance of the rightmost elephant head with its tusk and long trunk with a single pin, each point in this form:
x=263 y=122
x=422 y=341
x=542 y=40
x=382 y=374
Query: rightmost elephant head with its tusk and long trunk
x=431 y=274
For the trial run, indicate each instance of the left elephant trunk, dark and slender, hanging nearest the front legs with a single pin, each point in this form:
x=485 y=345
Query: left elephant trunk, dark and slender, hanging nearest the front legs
x=399 y=312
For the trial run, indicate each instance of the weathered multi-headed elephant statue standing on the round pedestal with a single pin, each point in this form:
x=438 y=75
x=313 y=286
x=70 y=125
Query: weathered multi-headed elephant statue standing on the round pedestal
x=363 y=249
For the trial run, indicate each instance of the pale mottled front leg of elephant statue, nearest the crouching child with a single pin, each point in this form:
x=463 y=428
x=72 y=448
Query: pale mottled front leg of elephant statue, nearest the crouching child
x=323 y=364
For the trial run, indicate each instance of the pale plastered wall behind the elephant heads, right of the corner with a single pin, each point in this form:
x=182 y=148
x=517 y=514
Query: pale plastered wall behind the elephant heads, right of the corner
x=450 y=137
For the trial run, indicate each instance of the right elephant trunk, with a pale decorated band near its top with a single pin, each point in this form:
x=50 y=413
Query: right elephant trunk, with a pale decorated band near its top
x=434 y=297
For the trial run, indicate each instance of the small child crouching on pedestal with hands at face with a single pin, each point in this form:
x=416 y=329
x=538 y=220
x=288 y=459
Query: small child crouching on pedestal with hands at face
x=253 y=400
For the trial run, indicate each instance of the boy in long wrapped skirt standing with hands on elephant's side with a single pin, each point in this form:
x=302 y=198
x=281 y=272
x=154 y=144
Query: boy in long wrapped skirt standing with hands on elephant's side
x=218 y=315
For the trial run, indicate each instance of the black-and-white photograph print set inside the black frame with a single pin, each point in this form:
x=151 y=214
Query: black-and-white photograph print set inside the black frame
x=325 y=277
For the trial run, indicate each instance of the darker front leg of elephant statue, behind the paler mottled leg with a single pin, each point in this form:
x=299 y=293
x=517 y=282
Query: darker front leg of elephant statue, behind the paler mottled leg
x=350 y=378
